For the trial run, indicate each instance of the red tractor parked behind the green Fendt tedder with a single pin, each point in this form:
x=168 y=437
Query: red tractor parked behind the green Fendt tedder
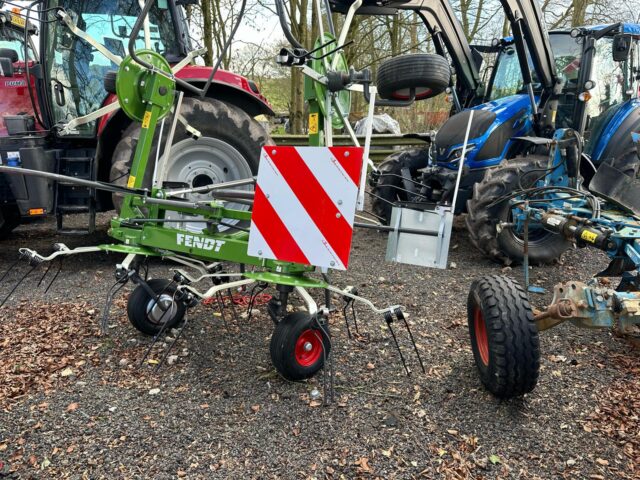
x=43 y=88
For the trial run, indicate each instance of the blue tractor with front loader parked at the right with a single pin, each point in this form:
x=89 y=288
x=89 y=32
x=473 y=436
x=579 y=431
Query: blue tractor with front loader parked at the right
x=584 y=79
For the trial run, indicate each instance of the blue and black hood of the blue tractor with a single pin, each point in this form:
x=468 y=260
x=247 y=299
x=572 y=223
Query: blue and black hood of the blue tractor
x=494 y=125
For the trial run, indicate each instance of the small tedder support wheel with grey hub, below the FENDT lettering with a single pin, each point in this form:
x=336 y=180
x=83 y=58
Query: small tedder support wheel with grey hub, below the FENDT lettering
x=149 y=316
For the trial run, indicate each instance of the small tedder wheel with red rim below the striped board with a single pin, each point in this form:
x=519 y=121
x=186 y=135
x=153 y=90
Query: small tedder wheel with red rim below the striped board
x=299 y=346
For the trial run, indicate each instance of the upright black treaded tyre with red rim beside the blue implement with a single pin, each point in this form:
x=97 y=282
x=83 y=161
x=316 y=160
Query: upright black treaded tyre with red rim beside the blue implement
x=512 y=348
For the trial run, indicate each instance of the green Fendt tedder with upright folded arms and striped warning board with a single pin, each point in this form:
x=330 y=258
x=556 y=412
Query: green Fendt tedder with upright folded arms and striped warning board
x=303 y=207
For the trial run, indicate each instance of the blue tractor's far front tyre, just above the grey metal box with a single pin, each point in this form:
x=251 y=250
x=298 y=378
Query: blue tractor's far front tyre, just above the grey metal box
x=388 y=183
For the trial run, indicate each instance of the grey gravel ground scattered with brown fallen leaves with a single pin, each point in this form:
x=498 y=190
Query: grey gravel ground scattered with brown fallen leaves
x=76 y=404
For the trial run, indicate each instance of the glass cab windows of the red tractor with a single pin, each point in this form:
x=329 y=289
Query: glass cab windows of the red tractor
x=76 y=70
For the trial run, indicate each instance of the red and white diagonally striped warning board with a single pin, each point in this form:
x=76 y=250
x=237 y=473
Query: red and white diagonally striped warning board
x=304 y=205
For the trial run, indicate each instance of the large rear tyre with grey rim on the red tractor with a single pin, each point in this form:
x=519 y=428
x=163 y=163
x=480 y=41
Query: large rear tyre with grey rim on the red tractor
x=229 y=148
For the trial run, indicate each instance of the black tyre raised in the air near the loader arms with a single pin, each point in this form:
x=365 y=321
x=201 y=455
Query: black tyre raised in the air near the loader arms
x=428 y=73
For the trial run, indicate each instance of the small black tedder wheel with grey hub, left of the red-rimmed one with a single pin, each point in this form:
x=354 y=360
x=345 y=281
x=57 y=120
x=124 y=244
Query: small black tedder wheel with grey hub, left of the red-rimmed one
x=139 y=301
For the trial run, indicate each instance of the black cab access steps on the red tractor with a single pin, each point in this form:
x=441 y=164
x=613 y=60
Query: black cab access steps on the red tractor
x=71 y=199
